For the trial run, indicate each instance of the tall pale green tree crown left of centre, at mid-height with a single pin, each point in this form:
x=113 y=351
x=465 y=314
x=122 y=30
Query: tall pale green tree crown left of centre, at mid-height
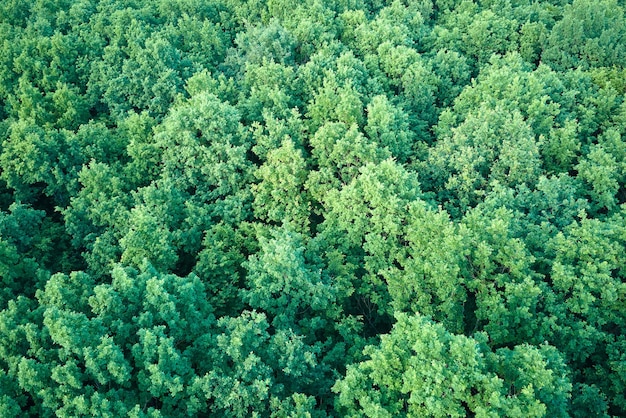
x=205 y=171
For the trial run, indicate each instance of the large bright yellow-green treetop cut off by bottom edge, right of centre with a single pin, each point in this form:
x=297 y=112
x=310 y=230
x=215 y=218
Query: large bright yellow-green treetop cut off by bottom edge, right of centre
x=420 y=369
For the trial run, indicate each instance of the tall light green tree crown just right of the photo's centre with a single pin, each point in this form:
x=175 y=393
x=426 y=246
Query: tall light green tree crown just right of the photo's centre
x=363 y=227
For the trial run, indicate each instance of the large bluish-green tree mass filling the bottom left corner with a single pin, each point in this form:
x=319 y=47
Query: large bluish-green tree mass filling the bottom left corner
x=81 y=350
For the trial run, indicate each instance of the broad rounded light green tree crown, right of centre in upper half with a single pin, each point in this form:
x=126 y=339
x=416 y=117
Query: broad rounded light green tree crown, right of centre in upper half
x=489 y=146
